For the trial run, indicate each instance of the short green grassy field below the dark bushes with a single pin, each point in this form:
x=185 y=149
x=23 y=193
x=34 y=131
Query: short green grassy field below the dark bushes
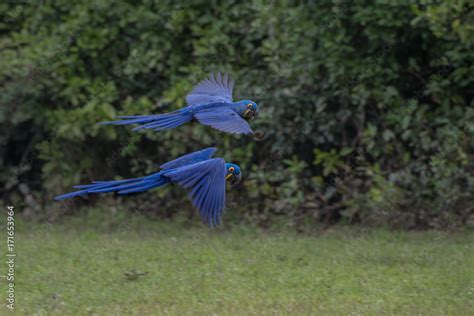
x=147 y=267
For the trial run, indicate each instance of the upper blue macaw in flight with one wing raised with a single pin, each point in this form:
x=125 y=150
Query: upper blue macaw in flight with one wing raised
x=210 y=103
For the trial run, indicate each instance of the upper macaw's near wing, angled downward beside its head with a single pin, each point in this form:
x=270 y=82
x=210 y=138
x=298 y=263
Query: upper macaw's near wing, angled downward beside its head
x=224 y=119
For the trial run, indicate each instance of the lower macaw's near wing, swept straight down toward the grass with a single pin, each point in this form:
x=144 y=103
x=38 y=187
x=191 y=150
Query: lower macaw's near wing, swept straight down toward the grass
x=205 y=182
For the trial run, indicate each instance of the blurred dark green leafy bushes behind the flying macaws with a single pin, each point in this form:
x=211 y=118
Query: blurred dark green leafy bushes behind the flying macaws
x=366 y=108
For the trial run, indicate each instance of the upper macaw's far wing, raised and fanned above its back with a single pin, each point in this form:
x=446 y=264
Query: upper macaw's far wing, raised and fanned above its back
x=215 y=89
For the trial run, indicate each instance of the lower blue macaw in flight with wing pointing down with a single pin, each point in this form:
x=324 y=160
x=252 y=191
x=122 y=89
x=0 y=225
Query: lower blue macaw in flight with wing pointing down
x=203 y=176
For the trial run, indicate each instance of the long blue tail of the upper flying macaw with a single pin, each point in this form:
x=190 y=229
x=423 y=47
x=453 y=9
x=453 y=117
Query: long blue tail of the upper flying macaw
x=157 y=122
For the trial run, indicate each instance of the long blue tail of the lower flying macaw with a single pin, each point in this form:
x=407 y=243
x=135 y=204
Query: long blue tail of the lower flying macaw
x=120 y=186
